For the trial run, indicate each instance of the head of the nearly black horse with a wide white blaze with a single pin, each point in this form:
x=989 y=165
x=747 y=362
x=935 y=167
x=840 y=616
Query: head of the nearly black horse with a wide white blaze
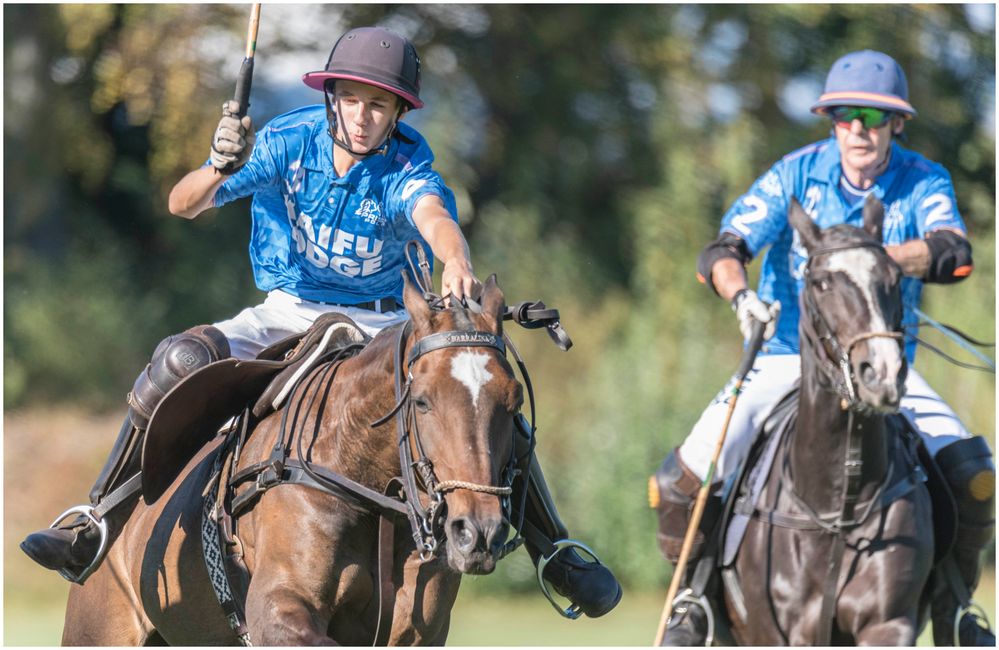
x=851 y=308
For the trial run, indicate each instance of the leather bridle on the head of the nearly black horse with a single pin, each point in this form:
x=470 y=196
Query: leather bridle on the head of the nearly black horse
x=836 y=366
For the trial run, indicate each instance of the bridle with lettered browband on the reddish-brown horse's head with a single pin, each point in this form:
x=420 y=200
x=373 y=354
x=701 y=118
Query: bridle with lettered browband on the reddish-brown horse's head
x=418 y=473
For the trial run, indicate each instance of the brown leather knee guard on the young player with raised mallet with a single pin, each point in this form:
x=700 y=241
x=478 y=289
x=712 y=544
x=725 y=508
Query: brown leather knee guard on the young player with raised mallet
x=175 y=358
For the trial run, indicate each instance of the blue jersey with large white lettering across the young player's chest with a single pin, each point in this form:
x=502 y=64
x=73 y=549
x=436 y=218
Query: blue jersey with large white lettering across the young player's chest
x=327 y=238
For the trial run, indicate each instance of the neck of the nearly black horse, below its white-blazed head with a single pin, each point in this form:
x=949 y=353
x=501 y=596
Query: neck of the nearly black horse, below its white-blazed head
x=819 y=451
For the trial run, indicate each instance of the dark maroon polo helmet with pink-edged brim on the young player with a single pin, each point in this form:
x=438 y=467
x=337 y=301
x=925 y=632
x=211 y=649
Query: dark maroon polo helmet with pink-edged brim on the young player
x=374 y=56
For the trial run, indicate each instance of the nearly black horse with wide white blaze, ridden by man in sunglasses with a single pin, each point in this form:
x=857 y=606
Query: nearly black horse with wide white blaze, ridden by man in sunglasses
x=840 y=546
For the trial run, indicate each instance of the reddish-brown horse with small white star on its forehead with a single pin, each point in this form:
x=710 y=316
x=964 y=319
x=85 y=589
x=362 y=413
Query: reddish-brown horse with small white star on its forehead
x=312 y=557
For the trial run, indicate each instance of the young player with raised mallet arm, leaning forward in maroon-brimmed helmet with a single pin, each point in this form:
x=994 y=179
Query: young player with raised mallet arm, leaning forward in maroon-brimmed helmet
x=338 y=190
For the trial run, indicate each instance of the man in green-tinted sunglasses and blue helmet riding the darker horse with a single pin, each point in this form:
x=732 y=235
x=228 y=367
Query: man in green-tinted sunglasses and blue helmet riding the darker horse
x=866 y=100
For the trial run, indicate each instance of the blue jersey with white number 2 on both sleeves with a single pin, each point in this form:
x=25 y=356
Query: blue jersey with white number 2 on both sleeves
x=917 y=195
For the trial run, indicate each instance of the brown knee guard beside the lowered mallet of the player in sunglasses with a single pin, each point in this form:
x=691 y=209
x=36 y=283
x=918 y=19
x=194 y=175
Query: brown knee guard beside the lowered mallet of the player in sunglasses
x=672 y=490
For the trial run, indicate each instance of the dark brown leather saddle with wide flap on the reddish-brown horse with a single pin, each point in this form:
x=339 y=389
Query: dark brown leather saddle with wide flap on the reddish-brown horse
x=190 y=414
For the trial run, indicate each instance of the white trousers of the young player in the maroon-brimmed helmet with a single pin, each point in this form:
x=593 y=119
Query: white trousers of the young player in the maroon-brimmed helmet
x=281 y=315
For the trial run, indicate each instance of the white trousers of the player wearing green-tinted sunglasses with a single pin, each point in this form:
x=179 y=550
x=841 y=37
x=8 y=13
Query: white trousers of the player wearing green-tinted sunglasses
x=769 y=380
